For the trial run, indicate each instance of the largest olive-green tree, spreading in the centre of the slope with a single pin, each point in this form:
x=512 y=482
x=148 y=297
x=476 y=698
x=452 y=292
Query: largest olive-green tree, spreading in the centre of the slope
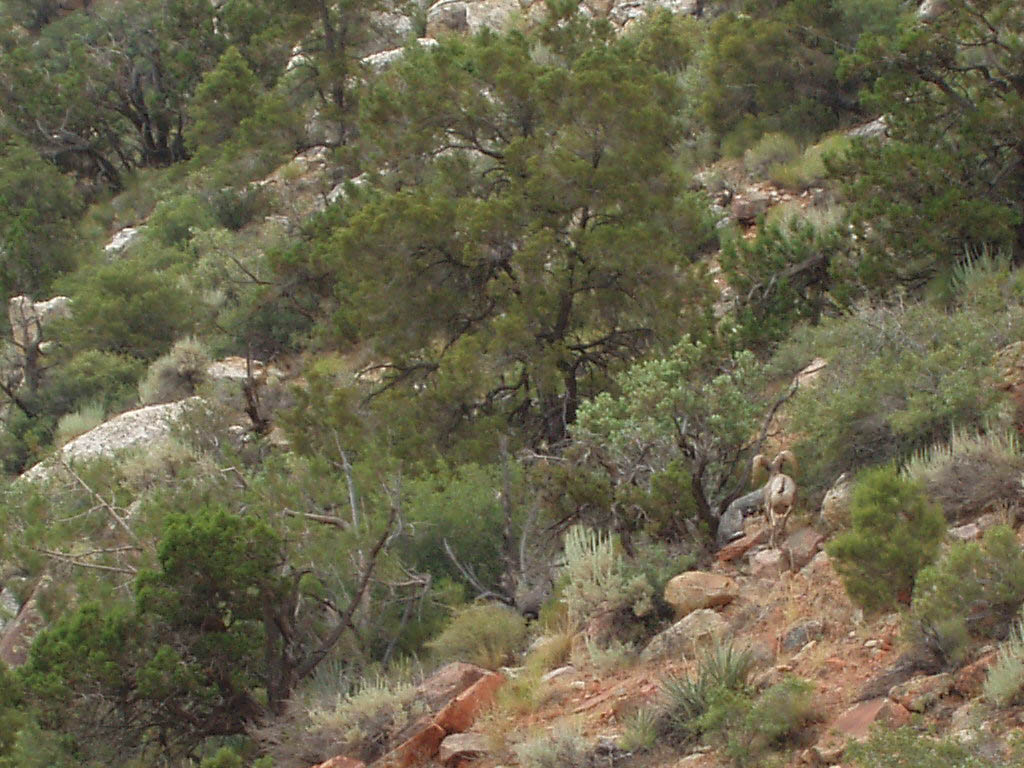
x=520 y=273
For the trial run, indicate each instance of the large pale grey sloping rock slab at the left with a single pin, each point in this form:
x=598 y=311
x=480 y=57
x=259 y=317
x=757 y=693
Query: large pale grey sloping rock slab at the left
x=135 y=429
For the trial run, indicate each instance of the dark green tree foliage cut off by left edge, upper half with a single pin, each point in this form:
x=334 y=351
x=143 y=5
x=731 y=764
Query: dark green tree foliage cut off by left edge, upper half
x=38 y=211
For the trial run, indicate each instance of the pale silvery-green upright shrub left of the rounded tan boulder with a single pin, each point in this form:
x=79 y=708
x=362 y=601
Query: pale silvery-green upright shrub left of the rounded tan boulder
x=598 y=582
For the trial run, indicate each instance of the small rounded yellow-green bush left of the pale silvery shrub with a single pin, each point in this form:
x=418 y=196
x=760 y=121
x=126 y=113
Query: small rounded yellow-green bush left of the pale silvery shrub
x=489 y=635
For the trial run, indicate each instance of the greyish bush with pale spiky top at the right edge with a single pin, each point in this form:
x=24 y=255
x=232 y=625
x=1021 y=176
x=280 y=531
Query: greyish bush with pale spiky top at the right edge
x=971 y=474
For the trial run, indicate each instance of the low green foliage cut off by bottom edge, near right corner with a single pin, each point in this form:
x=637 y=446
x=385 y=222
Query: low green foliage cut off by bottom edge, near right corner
x=898 y=748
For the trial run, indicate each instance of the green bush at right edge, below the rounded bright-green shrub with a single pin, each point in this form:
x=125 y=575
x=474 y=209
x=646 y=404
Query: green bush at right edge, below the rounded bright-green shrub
x=975 y=591
